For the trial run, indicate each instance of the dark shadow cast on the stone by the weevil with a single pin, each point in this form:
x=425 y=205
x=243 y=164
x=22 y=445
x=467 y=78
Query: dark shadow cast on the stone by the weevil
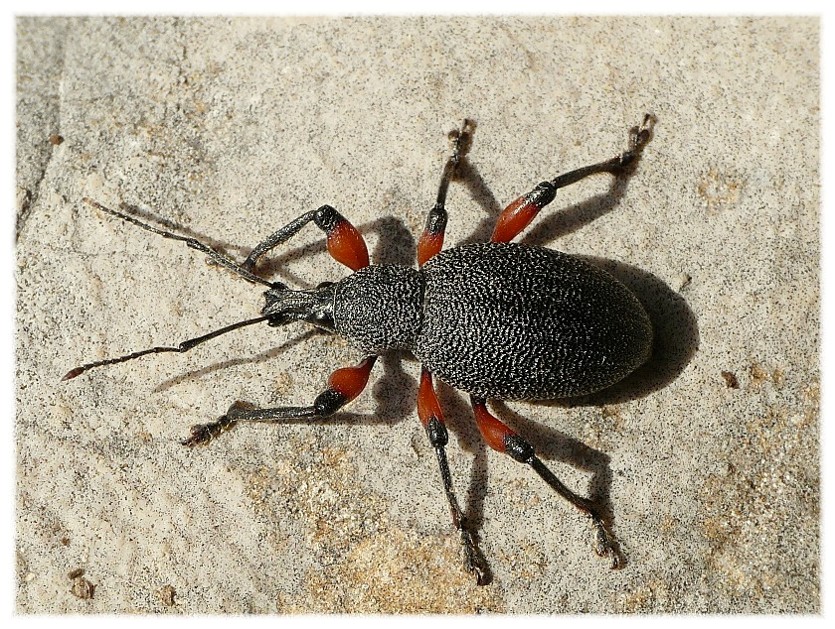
x=676 y=340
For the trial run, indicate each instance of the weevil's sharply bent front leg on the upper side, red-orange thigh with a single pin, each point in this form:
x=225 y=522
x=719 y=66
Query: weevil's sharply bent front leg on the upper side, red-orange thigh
x=345 y=243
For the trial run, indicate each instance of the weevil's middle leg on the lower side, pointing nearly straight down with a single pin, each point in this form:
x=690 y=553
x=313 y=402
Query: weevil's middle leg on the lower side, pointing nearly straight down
x=431 y=416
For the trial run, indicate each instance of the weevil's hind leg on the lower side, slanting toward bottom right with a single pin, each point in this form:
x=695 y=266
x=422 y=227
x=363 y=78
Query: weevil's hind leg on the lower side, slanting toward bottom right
x=502 y=439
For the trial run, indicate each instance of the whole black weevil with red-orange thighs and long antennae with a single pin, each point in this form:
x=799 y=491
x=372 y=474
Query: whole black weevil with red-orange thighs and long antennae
x=497 y=320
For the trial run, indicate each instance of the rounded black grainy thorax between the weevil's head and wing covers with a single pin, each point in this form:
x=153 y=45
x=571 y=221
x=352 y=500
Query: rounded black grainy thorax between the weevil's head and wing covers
x=380 y=308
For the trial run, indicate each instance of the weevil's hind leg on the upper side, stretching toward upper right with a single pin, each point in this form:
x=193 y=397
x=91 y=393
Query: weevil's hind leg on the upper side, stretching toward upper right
x=518 y=215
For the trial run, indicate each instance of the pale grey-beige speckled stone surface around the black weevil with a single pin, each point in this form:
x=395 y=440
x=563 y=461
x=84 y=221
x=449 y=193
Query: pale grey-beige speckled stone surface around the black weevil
x=706 y=460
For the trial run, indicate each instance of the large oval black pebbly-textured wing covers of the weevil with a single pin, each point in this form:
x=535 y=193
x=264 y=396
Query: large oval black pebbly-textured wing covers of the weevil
x=514 y=322
